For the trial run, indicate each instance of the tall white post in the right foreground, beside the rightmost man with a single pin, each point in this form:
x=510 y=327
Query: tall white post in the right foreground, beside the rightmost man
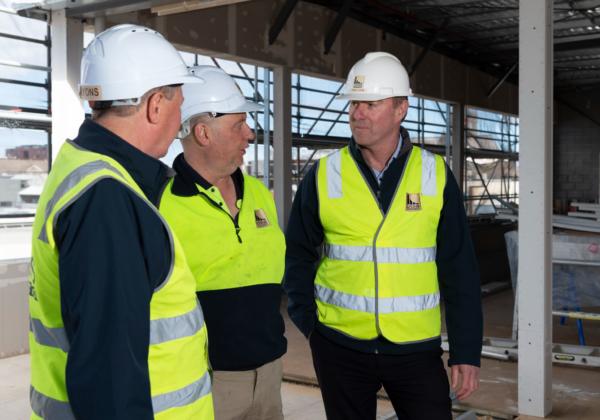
x=535 y=207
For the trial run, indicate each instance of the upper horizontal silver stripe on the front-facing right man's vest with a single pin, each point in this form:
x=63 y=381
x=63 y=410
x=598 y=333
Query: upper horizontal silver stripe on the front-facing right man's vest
x=384 y=255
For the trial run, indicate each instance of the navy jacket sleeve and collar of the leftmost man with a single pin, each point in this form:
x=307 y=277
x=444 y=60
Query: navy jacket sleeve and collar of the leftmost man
x=113 y=252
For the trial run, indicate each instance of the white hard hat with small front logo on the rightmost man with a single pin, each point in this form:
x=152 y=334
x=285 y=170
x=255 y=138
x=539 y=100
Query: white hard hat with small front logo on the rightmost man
x=378 y=75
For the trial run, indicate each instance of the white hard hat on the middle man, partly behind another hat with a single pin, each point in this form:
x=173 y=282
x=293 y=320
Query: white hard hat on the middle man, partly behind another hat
x=220 y=95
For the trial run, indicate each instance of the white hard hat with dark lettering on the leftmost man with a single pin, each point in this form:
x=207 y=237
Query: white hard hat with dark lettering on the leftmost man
x=124 y=62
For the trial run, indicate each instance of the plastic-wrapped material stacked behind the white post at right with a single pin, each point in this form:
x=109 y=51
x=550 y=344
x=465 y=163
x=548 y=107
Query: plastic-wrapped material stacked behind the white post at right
x=576 y=269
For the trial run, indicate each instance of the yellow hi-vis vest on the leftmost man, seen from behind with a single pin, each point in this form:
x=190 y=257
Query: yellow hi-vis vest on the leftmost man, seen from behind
x=177 y=360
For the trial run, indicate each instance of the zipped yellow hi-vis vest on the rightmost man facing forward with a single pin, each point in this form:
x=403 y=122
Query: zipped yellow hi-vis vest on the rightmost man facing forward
x=378 y=275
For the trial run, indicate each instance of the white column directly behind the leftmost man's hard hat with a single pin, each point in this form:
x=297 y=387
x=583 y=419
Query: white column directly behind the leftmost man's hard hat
x=67 y=108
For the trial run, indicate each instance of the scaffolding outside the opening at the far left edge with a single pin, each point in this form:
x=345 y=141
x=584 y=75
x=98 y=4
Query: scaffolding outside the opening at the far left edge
x=25 y=104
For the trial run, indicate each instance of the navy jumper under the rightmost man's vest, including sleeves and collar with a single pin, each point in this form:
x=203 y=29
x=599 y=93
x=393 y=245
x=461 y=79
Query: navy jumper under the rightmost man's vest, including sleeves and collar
x=458 y=273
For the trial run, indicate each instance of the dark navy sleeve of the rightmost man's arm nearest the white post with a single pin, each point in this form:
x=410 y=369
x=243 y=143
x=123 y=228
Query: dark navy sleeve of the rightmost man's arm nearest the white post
x=458 y=276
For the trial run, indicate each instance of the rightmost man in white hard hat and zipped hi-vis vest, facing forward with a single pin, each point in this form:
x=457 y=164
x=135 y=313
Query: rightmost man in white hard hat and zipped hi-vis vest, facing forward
x=390 y=219
